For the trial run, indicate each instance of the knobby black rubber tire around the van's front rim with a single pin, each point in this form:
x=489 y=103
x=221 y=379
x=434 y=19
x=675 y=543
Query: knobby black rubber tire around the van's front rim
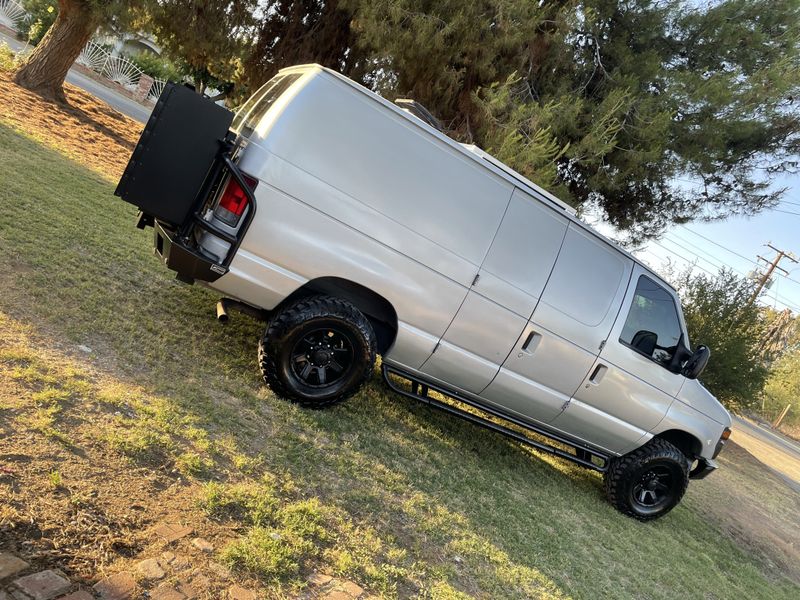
x=626 y=472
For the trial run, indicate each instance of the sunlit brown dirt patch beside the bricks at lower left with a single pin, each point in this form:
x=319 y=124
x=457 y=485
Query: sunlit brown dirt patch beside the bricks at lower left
x=75 y=505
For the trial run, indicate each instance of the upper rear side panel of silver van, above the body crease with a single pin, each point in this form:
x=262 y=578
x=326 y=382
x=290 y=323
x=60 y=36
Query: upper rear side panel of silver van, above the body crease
x=389 y=163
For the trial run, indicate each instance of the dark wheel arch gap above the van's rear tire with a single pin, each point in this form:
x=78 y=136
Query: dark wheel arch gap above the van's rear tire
x=377 y=309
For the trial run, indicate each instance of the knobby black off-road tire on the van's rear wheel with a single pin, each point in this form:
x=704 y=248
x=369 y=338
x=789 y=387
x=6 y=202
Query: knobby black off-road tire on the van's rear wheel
x=287 y=329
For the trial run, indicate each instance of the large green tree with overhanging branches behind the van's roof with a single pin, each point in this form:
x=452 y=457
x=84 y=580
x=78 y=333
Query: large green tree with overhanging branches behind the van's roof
x=609 y=104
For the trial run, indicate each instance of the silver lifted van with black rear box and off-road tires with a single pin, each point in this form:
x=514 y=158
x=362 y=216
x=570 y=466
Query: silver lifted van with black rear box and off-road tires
x=356 y=228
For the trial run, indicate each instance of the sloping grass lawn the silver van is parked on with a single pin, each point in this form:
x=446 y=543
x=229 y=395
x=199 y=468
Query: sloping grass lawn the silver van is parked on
x=108 y=363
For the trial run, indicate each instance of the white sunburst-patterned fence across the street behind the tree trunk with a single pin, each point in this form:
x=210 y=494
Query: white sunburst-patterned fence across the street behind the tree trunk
x=95 y=57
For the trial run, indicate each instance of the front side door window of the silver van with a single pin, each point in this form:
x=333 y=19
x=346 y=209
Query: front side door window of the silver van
x=652 y=327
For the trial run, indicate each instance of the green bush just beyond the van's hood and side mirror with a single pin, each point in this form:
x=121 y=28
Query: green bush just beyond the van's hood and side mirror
x=719 y=315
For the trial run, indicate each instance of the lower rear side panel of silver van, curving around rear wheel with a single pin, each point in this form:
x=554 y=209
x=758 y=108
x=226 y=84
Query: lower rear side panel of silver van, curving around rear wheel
x=291 y=242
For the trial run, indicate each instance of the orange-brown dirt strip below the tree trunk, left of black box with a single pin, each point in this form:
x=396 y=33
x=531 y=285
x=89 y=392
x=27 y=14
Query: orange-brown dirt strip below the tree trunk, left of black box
x=88 y=130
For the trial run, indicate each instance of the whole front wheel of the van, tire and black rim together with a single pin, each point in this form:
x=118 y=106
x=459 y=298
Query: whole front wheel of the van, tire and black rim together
x=649 y=482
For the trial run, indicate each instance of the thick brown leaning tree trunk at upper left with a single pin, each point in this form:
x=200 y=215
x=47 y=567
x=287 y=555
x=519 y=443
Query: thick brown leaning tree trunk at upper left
x=47 y=66
